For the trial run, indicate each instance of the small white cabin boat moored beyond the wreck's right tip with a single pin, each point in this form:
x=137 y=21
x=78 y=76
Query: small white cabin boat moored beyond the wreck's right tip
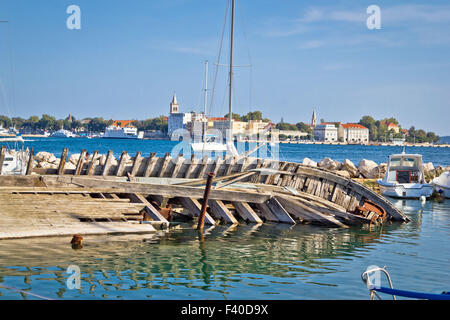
x=405 y=177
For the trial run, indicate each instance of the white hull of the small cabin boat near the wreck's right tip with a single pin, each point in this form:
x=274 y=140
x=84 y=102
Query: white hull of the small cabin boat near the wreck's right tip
x=405 y=190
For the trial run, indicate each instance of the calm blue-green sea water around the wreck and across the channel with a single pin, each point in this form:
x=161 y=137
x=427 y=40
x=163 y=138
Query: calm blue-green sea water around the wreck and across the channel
x=272 y=261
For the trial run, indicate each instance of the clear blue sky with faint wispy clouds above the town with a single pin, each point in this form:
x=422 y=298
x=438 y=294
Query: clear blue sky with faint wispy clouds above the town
x=130 y=57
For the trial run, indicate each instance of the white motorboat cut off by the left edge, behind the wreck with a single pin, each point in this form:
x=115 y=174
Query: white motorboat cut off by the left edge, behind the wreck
x=15 y=159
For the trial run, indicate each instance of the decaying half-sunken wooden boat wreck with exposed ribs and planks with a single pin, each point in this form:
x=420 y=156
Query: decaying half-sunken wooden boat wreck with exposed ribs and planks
x=142 y=194
